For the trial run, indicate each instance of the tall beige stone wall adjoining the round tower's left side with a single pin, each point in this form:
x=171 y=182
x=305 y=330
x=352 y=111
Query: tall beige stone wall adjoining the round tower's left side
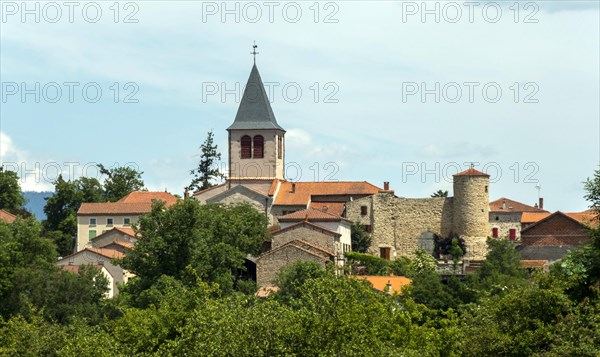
x=398 y=223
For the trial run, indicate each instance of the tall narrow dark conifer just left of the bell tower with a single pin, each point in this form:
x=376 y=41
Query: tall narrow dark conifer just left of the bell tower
x=207 y=171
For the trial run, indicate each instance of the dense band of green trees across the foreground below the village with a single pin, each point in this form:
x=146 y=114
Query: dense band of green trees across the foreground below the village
x=191 y=297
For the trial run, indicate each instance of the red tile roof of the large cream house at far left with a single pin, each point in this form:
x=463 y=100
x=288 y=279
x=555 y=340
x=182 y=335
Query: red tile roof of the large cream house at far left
x=135 y=203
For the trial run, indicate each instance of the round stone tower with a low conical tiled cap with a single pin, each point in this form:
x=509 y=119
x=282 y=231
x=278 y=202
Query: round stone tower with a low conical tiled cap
x=471 y=211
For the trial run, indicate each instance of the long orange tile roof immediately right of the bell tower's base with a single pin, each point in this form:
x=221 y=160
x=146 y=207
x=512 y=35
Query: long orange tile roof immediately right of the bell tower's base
x=304 y=190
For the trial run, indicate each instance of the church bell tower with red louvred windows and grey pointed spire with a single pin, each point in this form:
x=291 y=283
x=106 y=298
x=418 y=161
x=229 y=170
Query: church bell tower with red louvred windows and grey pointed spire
x=256 y=141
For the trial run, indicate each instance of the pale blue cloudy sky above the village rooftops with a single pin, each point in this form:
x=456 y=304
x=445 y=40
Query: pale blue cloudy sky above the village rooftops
x=406 y=92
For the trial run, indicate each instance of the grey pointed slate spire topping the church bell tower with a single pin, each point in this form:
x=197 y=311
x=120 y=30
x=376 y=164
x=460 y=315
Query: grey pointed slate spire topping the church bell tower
x=255 y=110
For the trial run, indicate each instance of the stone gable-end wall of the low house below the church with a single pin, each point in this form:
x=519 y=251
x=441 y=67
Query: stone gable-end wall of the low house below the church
x=269 y=264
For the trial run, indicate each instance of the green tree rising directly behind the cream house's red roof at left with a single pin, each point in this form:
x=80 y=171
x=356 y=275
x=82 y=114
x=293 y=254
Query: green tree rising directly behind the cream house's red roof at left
x=120 y=181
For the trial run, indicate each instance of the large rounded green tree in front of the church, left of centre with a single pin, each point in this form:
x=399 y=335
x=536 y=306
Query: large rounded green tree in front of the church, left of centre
x=190 y=241
